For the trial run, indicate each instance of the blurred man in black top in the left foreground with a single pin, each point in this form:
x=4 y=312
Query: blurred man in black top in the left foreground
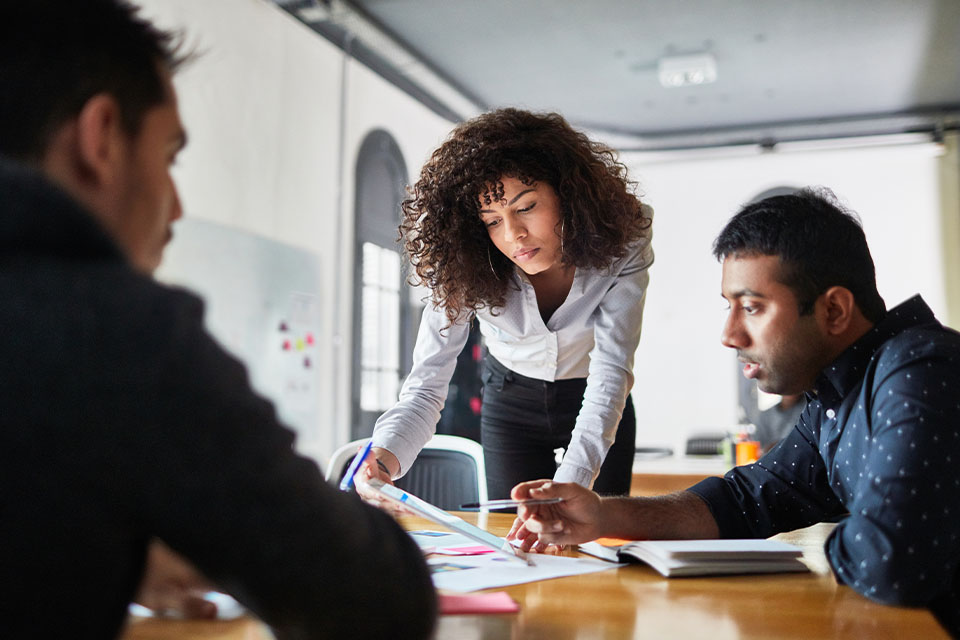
x=121 y=420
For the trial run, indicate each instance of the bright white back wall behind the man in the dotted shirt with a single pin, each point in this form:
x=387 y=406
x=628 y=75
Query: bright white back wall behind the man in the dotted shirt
x=685 y=379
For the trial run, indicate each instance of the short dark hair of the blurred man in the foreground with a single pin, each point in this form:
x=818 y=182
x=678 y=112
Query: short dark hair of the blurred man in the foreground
x=57 y=54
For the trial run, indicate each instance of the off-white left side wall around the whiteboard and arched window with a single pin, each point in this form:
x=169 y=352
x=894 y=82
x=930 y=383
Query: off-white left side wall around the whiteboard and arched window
x=262 y=106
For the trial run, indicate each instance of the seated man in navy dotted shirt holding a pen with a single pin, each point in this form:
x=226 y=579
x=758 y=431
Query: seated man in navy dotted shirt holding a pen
x=879 y=439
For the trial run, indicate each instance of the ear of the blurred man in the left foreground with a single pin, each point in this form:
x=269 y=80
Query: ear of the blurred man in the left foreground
x=99 y=141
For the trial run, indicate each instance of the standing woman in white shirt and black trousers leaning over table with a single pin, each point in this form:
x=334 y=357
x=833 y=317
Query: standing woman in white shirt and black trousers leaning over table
x=524 y=224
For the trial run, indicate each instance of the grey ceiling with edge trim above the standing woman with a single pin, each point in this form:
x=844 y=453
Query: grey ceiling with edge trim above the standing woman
x=785 y=69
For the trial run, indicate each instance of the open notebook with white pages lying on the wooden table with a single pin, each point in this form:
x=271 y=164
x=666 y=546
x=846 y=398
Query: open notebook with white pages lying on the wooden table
x=705 y=557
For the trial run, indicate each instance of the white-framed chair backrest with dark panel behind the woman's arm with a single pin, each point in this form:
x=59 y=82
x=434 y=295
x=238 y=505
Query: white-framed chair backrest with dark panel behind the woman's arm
x=448 y=472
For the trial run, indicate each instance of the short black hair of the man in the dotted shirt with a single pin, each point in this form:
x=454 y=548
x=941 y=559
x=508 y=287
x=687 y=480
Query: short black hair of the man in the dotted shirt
x=820 y=245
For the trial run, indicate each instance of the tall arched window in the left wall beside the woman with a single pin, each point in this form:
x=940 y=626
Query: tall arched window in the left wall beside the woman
x=383 y=328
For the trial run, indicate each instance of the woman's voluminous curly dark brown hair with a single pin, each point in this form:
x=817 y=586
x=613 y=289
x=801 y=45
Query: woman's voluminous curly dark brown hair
x=444 y=237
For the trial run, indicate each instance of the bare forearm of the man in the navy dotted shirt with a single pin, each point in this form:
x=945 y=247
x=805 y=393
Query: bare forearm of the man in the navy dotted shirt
x=673 y=516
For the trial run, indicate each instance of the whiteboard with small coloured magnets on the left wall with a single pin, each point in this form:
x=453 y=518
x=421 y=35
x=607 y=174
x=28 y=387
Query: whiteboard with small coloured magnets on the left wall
x=263 y=304
